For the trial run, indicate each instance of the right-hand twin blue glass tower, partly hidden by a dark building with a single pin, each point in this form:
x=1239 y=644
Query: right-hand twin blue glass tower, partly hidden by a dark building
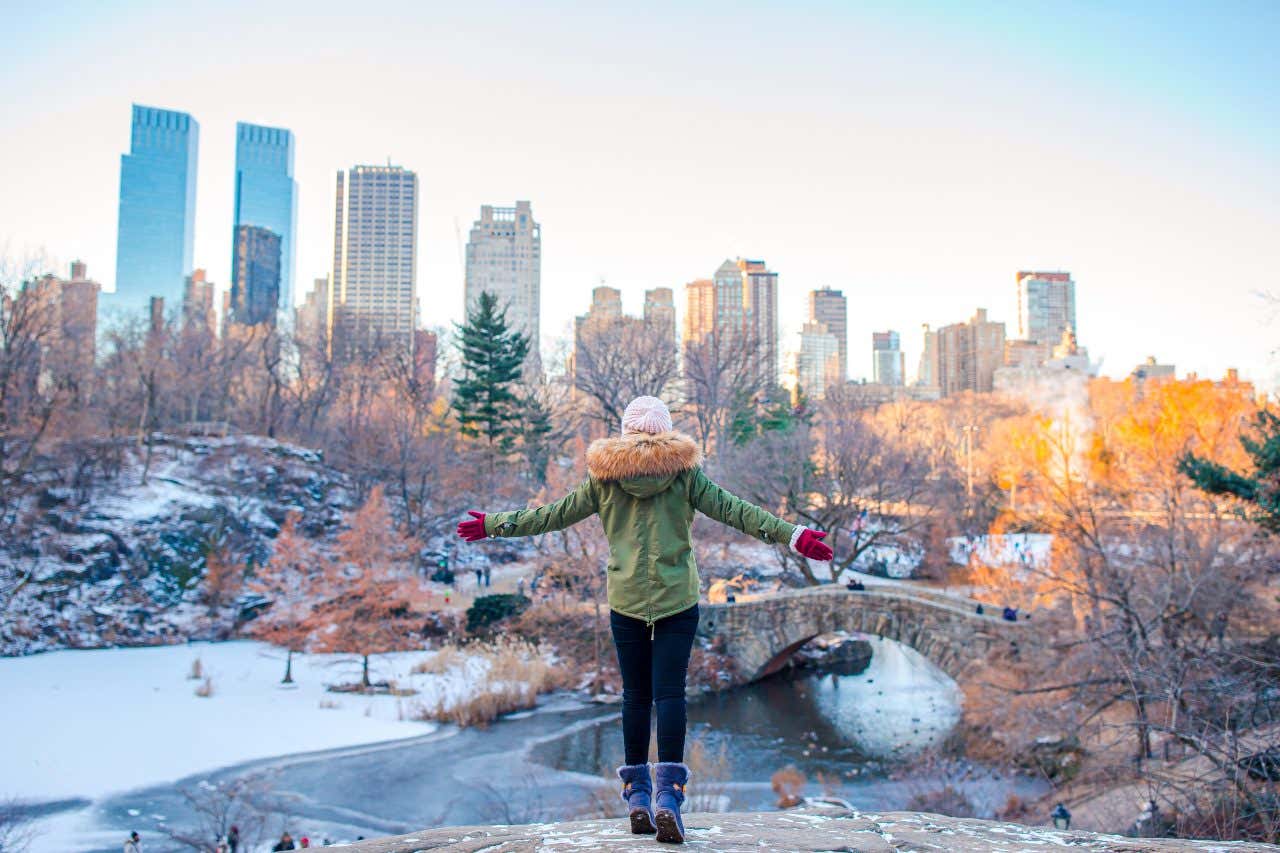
x=267 y=195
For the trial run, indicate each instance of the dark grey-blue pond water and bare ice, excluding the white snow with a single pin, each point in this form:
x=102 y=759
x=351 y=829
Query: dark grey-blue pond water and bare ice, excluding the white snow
x=847 y=733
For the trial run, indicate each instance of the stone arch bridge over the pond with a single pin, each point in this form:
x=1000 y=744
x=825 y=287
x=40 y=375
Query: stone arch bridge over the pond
x=761 y=635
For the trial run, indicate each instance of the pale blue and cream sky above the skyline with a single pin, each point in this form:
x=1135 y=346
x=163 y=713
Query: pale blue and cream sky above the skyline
x=915 y=156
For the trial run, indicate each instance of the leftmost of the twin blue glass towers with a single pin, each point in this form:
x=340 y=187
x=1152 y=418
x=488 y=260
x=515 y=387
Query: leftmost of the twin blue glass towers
x=158 y=209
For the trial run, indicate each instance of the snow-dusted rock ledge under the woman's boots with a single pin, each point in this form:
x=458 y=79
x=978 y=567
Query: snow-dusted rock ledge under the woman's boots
x=810 y=829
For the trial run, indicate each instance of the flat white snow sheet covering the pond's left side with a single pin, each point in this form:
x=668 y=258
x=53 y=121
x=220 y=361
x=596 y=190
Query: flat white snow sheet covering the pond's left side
x=92 y=723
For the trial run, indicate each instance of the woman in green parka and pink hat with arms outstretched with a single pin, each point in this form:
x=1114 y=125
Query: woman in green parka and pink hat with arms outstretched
x=646 y=486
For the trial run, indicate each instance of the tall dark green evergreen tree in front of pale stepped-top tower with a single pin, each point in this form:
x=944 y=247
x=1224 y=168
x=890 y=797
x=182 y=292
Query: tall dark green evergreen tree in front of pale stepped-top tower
x=493 y=358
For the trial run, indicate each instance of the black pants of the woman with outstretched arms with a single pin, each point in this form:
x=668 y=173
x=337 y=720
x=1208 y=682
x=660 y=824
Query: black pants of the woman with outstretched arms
x=655 y=662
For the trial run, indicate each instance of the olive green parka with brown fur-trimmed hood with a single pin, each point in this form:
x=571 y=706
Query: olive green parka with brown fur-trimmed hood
x=646 y=490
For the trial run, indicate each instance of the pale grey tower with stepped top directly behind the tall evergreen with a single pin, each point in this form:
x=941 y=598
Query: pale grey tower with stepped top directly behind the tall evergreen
x=505 y=258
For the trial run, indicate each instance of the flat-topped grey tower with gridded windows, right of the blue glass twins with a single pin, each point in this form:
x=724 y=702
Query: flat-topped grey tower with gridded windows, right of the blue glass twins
x=372 y=293
